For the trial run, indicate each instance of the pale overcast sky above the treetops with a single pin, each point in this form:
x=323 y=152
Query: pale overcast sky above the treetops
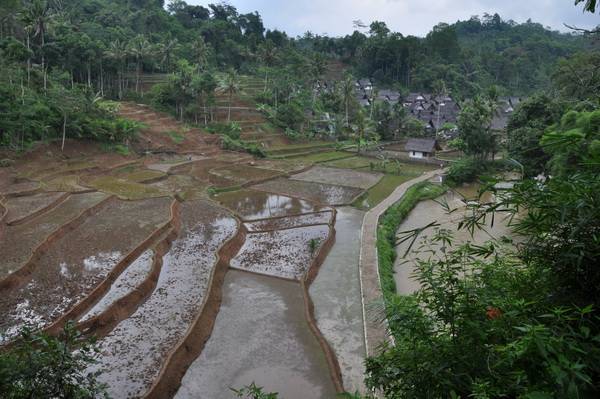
x=414 y=17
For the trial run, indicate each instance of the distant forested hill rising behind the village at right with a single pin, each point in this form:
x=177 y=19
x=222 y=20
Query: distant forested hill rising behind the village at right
x=468 y=55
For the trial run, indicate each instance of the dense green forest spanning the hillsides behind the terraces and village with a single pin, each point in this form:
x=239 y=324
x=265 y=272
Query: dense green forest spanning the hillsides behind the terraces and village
x=87 y=51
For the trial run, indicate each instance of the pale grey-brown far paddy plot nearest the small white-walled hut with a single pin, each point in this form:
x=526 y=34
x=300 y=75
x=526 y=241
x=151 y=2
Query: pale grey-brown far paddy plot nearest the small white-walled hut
x=347 y=177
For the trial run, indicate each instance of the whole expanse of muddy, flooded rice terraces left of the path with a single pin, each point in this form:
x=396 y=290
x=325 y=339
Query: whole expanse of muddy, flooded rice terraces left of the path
x=191 y=265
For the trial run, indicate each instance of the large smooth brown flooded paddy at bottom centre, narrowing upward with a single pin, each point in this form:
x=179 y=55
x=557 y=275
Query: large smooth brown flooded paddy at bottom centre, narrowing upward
x=260 y=336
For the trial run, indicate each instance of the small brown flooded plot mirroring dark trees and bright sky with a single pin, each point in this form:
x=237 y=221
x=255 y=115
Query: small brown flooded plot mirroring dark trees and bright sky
x=251 y=204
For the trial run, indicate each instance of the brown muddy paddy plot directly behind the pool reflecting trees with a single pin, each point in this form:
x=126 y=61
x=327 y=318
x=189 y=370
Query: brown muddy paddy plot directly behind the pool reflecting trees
x=325 y=194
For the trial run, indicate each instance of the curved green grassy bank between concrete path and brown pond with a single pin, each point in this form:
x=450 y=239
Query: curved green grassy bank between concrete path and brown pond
x=387 y=227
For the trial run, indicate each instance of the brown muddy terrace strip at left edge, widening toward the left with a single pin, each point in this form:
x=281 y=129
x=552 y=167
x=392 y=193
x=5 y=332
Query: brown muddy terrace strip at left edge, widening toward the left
x=19 y=242
